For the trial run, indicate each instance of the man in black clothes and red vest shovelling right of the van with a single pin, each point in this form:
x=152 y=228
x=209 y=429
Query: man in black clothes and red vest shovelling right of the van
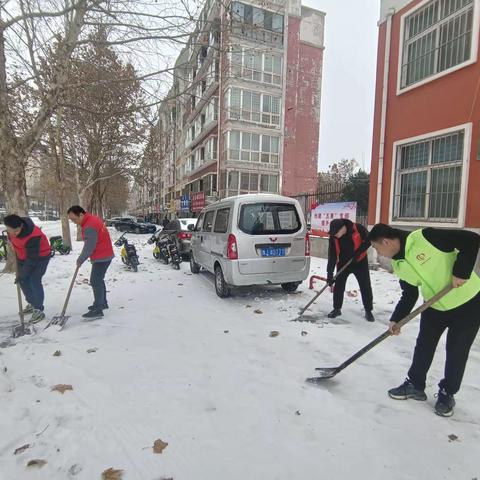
x=349 y=240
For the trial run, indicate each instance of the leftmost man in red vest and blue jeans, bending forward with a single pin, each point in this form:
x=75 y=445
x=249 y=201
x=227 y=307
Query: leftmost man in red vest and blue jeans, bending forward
x=32 y=250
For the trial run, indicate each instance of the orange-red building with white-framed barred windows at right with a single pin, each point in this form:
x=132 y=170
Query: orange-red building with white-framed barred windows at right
x=426 y=136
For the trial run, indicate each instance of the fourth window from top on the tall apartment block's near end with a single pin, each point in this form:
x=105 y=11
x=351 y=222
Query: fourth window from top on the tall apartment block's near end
x=251 y=147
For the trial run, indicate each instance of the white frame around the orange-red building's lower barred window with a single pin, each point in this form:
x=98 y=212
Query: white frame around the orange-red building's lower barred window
x=467 y=152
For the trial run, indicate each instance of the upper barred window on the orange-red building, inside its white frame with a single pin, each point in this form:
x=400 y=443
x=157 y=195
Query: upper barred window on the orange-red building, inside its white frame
x=437 y=37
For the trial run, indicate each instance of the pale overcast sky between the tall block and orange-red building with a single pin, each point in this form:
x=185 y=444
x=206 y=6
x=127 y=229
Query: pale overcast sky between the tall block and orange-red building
x=348 y=83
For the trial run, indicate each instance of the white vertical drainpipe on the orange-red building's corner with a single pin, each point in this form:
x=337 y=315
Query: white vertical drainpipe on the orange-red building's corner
x=381 y=154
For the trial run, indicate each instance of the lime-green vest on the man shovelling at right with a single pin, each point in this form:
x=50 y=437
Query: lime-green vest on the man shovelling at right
x=430 y=269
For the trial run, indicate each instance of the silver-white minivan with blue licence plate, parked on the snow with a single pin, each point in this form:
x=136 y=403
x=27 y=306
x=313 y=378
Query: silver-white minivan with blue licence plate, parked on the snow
x=256 y=239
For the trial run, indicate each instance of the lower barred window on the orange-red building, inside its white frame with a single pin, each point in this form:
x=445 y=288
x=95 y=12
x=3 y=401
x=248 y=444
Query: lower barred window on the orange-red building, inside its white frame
x=429 y=178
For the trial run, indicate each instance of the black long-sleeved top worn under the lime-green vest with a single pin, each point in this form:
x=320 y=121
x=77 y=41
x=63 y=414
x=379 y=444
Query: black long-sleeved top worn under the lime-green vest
x=467 y=243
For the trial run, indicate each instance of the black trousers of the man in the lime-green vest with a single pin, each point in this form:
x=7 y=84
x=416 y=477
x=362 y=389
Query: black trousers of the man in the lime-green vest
x=462 y=325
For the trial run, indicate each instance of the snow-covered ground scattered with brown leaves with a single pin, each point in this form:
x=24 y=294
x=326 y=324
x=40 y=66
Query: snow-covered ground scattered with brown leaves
x=172 y=361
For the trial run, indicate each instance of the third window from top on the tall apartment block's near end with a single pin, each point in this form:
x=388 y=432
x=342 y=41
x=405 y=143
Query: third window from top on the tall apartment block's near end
x=253 y=107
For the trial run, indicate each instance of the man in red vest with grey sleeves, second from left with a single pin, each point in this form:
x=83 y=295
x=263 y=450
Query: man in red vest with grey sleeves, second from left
x=98 y=247
